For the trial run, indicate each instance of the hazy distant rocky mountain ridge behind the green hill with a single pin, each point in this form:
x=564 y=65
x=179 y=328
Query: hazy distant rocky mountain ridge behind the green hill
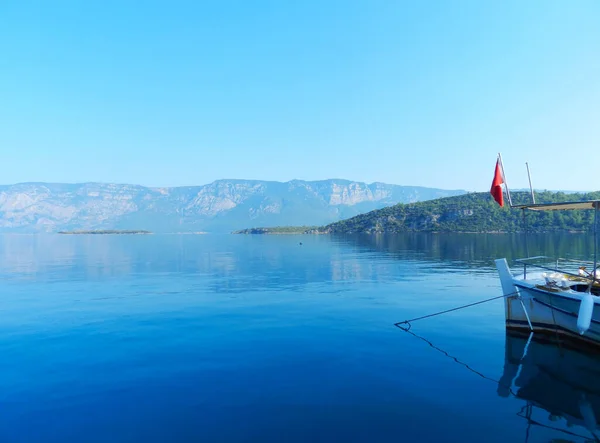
x=221 y=206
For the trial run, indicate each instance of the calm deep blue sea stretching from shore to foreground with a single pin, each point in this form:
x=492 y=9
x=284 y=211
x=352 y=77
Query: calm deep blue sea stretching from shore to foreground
x=224 y=338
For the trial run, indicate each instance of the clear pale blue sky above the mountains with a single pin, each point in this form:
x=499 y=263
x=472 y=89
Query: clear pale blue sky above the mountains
x=409 y=92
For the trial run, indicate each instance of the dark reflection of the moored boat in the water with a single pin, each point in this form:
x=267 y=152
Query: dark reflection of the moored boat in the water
x=560 y=378
